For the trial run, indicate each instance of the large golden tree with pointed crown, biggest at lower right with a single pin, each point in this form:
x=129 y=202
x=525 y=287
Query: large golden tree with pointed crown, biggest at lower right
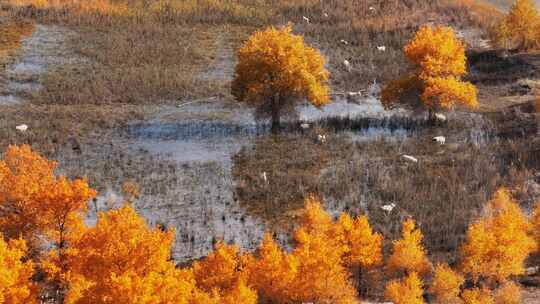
x=498 y=243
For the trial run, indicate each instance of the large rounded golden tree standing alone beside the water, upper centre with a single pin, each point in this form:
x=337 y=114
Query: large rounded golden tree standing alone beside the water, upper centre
x=275 y=70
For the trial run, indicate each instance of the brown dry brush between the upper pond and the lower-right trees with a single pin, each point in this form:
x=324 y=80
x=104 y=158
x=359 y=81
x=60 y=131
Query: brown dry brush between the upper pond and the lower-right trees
x=443 y=192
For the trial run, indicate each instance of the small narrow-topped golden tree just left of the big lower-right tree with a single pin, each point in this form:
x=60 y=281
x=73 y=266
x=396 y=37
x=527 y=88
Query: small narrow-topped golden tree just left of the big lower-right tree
x=408 y=253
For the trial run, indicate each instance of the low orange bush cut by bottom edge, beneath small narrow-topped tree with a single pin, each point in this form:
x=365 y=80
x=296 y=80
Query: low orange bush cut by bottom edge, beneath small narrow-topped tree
x=406 y=291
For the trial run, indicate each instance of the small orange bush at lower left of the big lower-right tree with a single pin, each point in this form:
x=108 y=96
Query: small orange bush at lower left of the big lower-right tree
x=446 y=284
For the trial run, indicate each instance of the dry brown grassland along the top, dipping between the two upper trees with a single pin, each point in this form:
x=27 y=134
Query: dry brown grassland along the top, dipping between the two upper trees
x=169 y=40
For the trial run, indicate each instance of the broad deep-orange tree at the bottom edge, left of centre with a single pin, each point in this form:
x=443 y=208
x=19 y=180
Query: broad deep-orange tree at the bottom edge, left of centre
x=121 y=260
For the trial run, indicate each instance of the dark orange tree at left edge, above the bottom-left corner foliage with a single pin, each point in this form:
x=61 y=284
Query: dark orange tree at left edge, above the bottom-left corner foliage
x=34 y=202
